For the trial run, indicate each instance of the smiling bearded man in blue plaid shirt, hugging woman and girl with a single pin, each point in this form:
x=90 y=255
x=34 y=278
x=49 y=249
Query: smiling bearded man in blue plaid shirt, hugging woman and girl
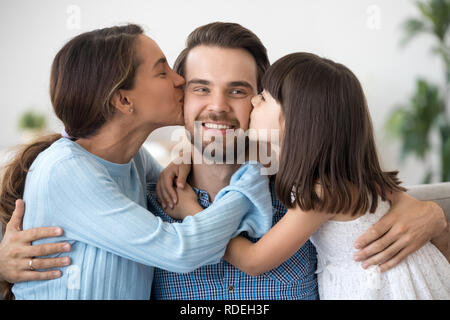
x=223 y=65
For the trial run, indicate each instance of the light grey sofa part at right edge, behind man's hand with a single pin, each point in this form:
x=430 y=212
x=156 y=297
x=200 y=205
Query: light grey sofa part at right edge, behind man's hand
x=439 y=193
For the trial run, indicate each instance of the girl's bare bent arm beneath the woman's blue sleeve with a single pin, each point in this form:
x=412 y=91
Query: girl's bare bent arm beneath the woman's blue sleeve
x=276 y=246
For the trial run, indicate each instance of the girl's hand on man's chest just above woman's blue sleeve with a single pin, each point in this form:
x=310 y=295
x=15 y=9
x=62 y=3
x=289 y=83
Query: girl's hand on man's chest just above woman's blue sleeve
x=187 y=205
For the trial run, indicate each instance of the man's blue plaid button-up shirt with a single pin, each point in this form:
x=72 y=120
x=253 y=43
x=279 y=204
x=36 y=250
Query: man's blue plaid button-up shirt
x=295 y=279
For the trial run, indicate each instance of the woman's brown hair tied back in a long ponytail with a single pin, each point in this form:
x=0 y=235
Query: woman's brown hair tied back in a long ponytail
x=85 y=74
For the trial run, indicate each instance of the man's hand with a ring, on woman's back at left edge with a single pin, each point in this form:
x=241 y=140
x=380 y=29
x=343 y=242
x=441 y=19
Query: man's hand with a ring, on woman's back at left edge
x=16 y=251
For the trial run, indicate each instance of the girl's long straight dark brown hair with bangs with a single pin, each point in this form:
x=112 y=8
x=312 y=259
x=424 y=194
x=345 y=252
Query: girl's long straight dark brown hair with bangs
x=328 y=138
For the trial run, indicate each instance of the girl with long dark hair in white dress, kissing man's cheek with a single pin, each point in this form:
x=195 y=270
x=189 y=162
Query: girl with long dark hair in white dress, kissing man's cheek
x=331 y=181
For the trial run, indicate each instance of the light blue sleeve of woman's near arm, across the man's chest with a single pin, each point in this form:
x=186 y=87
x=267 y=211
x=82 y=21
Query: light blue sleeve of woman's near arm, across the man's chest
x=88 y=204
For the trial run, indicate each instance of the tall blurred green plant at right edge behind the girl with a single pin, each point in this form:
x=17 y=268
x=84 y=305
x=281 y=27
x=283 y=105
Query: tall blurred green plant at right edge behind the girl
x=427 y=111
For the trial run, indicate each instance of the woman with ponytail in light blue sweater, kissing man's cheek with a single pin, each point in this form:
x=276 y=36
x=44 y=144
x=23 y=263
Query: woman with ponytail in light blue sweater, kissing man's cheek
x=111 y=88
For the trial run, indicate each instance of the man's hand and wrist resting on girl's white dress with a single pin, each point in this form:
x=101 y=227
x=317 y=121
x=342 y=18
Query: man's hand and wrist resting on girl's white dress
x=404 y=229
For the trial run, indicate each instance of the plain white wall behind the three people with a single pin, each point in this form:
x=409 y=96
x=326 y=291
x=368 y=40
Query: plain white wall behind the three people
x=32 y=31
